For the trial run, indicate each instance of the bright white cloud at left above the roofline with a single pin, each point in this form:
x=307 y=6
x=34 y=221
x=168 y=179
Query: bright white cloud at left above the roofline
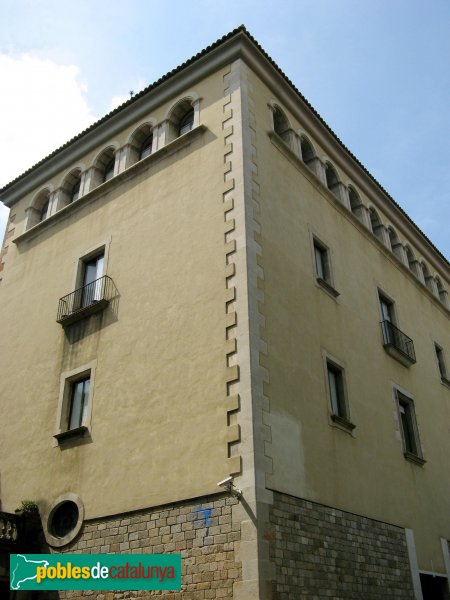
x=42 y=105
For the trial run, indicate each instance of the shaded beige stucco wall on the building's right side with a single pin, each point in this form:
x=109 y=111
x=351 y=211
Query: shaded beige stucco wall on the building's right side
x=365 y=473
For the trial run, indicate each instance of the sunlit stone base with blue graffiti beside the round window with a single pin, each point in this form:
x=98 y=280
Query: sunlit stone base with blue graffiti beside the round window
x=202 y=531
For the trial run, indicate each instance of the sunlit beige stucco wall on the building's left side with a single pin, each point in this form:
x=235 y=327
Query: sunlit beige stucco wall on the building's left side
x=158 y=417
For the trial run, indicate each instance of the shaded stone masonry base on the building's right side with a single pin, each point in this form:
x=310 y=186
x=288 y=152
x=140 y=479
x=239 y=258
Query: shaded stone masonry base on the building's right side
x=321 y=552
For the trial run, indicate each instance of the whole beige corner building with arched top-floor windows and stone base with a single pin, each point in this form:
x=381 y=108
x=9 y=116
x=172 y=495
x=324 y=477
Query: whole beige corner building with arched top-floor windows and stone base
x=207 y=284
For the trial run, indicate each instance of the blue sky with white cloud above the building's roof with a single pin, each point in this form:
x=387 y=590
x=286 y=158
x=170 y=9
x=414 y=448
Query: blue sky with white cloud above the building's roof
x=378 y=71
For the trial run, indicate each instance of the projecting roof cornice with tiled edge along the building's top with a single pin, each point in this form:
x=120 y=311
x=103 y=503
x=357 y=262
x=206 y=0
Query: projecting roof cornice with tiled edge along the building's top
x=237 y=44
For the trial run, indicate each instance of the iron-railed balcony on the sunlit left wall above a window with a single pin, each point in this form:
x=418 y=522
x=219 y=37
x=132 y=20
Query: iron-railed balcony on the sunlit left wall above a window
x=87 y=300
